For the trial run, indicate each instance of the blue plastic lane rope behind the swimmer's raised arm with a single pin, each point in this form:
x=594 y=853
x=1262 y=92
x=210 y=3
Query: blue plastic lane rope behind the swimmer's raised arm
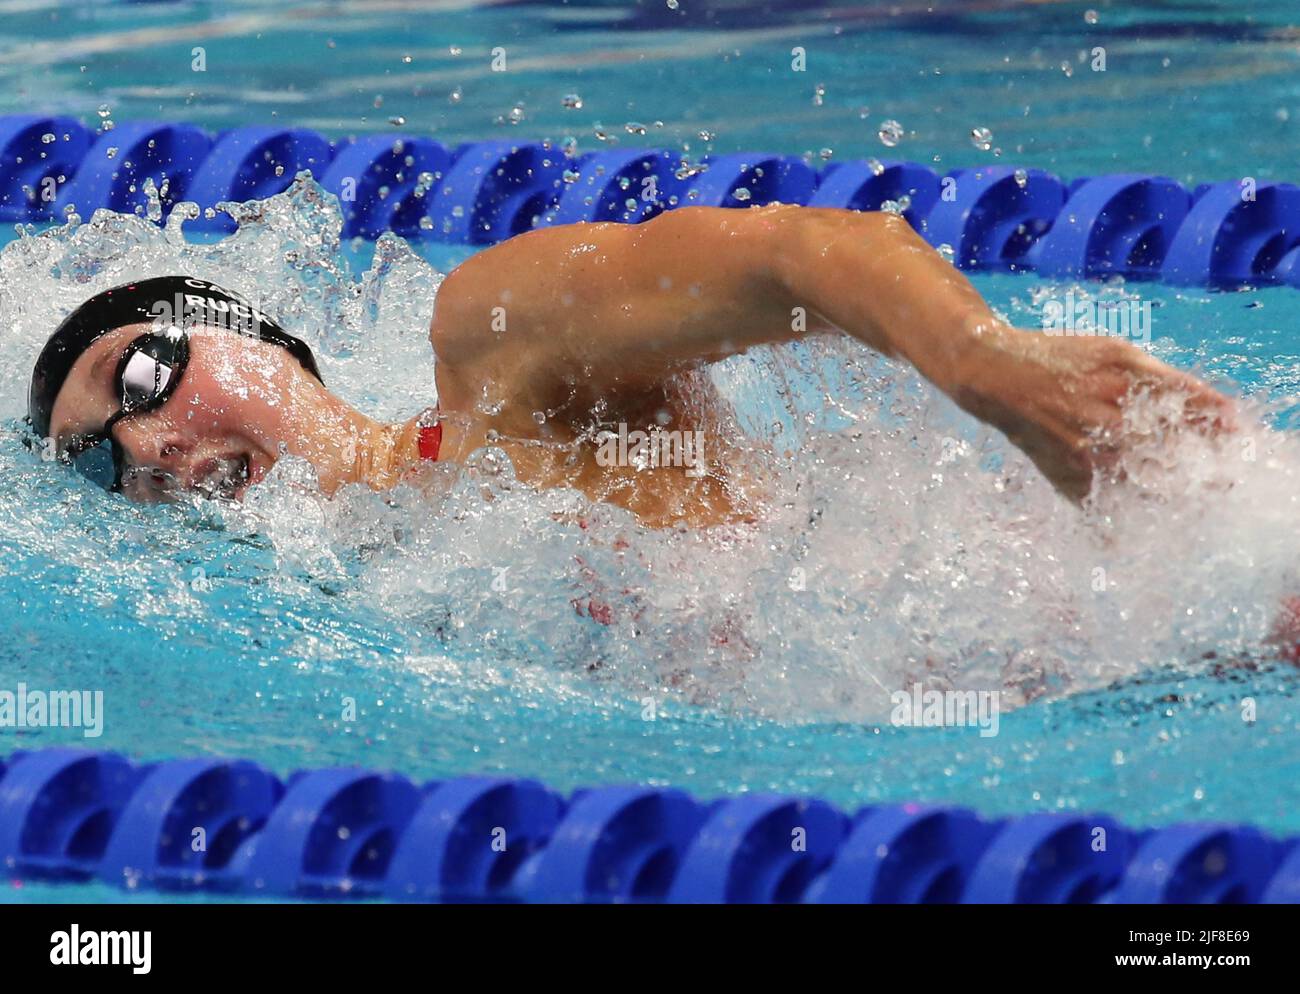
x=1138 y=227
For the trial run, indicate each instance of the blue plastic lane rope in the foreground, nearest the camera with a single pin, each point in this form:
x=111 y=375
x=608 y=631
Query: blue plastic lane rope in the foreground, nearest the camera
x=233 y=828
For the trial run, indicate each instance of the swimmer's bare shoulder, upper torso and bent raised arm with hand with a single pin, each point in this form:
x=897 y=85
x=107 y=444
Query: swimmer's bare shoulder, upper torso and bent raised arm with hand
x=547 y=335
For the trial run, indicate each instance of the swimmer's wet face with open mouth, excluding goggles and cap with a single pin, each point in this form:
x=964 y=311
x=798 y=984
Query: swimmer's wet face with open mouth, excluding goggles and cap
x=218 y=435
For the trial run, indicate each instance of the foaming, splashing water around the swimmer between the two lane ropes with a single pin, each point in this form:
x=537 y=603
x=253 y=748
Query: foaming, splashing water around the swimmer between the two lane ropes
x=900 y=544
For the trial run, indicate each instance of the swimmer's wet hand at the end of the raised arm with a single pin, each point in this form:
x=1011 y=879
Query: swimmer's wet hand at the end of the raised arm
x=1061 y=400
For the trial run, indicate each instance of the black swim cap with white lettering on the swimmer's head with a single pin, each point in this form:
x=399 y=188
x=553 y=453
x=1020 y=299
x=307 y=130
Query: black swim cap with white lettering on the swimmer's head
x=170 y=302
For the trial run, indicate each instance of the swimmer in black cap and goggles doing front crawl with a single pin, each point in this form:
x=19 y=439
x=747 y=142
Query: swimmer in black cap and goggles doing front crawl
x=543 y=340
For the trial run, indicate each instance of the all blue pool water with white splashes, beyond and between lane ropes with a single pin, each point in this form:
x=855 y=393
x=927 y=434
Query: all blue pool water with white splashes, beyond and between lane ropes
x=931 y=550
